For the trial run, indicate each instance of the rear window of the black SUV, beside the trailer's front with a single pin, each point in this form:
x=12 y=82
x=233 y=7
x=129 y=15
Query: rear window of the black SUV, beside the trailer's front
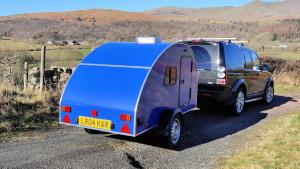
x=207 y=56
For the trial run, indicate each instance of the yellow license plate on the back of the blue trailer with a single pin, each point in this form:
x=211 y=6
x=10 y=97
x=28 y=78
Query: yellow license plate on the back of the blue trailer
x=95 y=123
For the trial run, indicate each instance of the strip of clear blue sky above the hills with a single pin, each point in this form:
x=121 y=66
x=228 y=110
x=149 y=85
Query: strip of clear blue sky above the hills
x=11 y=7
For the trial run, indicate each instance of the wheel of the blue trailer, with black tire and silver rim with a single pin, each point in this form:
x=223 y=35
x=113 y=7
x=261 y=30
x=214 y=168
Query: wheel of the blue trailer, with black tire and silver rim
x=173 y=136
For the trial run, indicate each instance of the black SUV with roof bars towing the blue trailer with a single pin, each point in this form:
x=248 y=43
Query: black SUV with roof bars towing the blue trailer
x=231 y=73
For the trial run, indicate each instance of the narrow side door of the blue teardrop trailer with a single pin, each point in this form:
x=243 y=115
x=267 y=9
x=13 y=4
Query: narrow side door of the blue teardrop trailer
x=185 y=81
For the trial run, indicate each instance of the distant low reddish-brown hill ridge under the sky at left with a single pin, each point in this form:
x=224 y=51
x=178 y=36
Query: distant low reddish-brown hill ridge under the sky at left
x=94 y=17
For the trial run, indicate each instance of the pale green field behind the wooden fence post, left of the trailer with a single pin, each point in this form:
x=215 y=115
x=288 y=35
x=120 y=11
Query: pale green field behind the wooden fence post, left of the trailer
x=67 y=56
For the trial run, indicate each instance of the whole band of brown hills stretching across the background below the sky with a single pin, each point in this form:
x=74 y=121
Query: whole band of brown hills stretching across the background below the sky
x=171 y=23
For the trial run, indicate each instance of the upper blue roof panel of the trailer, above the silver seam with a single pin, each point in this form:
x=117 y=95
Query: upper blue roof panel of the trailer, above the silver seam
x=126 y=53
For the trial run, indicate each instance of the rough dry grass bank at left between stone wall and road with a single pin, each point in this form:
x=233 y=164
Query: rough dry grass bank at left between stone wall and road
x=22 y=111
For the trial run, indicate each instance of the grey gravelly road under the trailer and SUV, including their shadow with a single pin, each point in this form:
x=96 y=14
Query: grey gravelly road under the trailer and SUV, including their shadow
x=209 y=135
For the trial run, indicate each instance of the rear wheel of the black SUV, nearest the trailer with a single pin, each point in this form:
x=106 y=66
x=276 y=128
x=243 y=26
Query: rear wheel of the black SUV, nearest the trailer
x=238 y=102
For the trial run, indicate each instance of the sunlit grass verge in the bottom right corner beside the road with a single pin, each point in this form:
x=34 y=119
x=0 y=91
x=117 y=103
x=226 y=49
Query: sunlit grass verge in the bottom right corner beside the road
x=275 y=145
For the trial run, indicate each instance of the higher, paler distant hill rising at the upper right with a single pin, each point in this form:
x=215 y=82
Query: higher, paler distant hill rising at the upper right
x=256 y=10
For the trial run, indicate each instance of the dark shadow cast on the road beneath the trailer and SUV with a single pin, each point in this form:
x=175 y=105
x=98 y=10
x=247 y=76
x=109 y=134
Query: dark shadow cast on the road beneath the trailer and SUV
x=212 y=123
